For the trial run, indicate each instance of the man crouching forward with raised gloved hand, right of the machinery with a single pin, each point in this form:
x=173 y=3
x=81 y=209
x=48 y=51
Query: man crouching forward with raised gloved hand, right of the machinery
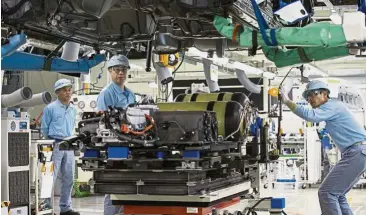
x=348 y=136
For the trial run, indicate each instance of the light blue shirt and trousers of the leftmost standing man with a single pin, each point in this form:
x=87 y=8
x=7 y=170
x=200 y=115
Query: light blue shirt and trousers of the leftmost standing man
x=58 y=123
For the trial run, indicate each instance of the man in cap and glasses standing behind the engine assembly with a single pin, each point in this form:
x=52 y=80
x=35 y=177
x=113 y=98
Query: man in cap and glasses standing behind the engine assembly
x=116 y=94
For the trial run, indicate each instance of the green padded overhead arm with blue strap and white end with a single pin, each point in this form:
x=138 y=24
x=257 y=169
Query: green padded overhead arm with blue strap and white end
x=293 y=45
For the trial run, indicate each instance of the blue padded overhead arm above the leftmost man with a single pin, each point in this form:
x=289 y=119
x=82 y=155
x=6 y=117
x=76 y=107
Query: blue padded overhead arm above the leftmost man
x=12 y=60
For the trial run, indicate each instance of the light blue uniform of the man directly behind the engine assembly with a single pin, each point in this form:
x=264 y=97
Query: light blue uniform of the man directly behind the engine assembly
x=114 y=96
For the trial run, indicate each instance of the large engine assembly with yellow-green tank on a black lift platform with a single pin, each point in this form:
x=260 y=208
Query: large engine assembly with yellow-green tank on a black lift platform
x=179 y=148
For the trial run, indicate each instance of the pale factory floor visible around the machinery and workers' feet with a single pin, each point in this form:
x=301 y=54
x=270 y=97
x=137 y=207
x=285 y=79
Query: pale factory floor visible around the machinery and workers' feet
x=298 y=201
